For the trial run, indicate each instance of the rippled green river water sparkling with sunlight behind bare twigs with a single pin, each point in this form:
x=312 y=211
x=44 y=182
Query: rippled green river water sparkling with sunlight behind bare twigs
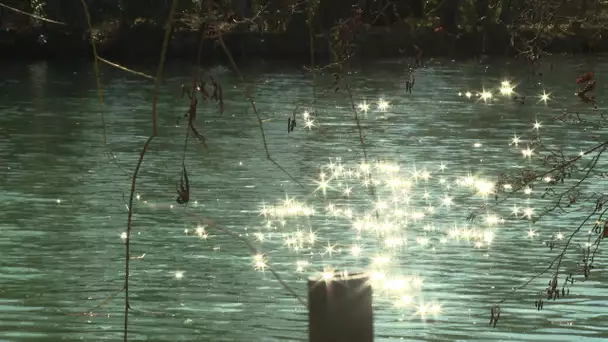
x=64 y=201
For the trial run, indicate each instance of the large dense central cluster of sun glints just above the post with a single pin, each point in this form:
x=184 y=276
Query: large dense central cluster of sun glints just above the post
x=356 y=232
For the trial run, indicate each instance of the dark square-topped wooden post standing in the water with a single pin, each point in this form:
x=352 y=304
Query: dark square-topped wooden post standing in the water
x=340 y=309
